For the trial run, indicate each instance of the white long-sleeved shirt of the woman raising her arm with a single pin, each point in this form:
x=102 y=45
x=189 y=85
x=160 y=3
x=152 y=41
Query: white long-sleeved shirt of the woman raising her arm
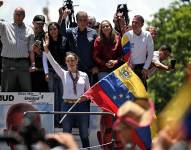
x=68 y=93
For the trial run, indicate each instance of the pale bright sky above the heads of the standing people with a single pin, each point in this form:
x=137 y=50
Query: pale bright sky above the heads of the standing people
x=101 y=9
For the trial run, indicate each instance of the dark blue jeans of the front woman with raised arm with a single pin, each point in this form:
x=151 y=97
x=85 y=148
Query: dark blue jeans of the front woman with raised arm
x=81 y=120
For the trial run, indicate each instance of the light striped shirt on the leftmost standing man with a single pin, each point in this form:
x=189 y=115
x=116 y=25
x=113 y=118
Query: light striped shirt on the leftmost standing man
x=17 y=41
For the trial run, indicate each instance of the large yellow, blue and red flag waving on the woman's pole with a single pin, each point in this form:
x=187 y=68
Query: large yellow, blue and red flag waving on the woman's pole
x=113 y=90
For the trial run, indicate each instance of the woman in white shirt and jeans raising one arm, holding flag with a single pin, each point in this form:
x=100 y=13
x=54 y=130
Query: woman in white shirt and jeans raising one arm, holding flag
x=75 y=83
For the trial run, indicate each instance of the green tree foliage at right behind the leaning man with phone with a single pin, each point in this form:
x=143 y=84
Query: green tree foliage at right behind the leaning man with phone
x=174 y=24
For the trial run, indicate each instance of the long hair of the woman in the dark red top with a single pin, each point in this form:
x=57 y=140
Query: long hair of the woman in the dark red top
x=103 y=39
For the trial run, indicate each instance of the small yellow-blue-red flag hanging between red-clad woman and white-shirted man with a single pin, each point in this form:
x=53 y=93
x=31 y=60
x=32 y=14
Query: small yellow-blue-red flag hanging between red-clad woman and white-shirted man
x=126 y=48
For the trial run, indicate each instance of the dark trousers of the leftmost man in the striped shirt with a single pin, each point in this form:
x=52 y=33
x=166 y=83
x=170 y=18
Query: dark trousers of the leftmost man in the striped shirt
x=15 y=75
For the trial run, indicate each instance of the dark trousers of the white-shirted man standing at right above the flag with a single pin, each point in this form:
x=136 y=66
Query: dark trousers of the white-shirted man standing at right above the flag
x=138 y=71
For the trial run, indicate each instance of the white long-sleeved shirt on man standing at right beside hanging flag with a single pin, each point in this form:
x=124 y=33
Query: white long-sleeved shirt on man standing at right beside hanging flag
x=141 y=48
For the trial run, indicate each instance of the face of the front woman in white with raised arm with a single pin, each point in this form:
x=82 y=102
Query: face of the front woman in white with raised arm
x=71 y=63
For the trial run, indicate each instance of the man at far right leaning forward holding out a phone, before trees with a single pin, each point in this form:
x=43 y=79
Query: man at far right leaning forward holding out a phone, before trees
x=158 y=57
